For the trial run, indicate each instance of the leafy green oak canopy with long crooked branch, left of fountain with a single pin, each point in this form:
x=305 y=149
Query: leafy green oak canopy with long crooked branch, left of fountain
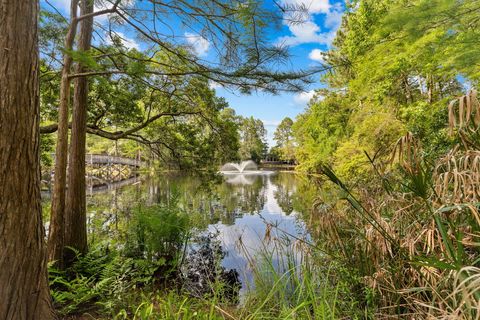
x=177 y=121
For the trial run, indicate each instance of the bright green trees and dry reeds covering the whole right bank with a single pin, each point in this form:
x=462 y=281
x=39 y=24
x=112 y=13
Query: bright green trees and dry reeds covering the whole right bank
x=396 y=64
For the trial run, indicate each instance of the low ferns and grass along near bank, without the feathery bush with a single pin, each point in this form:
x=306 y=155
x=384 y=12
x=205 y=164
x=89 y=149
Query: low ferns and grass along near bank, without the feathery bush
x=289 y=282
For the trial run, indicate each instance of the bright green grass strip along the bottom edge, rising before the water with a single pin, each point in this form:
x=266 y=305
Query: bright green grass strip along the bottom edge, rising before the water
x=287 y=284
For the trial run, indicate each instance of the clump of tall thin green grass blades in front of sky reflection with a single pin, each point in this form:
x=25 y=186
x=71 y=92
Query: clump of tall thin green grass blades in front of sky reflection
x=287 y=284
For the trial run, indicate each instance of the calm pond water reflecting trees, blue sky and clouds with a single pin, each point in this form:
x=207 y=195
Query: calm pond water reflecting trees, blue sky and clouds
x=249 y=213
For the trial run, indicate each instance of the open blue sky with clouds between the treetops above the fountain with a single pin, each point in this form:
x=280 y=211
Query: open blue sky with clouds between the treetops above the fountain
x=307 y=42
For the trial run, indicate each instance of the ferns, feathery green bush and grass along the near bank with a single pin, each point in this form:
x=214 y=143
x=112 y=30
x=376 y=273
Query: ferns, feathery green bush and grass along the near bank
x=289 y=282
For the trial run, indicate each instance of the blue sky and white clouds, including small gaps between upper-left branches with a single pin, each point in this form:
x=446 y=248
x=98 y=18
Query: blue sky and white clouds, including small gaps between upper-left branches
x=306 y=41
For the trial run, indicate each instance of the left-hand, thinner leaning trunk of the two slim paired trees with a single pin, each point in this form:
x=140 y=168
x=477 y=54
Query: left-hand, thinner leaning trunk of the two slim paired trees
x=56 y=242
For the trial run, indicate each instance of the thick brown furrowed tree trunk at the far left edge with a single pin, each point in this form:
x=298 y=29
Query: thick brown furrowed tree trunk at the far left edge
x=24 y=292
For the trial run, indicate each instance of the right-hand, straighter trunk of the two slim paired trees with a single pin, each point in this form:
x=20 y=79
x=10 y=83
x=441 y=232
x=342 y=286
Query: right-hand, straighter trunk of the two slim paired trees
x=75 y=213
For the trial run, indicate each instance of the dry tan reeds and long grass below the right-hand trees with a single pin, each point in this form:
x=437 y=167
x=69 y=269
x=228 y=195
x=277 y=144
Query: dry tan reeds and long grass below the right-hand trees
x=413 y=231
